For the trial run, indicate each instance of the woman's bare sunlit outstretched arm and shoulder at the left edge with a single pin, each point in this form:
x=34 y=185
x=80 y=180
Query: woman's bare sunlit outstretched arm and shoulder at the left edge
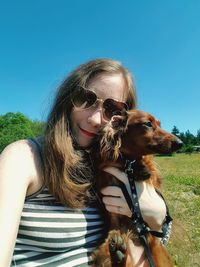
x=16 y=169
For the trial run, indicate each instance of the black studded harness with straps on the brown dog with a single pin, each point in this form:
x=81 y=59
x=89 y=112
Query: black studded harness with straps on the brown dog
x=139 y=224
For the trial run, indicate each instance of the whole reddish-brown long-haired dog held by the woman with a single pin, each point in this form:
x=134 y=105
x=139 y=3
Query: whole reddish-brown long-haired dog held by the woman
x=135 y=136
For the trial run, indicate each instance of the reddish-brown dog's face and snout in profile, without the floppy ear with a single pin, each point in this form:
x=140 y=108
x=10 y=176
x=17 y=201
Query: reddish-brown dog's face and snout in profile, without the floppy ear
x=144 y=136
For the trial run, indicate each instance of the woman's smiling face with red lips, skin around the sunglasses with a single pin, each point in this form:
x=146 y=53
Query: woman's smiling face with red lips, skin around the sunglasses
x=86 y=123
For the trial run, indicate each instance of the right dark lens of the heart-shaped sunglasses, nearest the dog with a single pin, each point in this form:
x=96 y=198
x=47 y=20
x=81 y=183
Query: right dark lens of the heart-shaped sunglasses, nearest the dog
x=113 y=107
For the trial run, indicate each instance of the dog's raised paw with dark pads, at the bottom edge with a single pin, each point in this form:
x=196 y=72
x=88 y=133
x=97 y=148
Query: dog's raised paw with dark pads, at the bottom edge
x=117 y=248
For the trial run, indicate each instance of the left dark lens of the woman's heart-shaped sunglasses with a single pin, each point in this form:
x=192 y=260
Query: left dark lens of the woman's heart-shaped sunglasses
x=84 y=98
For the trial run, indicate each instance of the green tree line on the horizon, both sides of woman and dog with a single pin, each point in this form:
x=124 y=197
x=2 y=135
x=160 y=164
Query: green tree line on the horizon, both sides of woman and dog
x=15 y=126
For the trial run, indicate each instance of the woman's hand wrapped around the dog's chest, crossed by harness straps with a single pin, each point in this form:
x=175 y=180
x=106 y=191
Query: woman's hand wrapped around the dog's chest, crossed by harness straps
x=152 y=206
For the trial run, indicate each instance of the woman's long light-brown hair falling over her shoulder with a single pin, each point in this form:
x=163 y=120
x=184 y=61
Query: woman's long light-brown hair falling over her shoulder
x=66 y=172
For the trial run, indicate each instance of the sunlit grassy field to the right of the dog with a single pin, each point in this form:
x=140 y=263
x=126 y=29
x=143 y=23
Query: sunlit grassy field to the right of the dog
x=181 y=187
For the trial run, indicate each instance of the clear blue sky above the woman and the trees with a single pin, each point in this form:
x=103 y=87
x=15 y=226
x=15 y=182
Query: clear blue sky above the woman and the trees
x=159 y=41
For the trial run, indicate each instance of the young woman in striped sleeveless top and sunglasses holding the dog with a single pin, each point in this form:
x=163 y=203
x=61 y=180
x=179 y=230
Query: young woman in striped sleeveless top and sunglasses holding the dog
x=48 y=213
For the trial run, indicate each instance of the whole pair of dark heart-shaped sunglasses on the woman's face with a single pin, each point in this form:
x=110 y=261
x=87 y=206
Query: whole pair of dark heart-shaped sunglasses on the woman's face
x=84 y=99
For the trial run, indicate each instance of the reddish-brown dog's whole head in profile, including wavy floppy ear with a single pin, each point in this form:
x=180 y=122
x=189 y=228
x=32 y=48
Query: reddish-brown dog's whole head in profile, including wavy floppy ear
x=137 y=134
